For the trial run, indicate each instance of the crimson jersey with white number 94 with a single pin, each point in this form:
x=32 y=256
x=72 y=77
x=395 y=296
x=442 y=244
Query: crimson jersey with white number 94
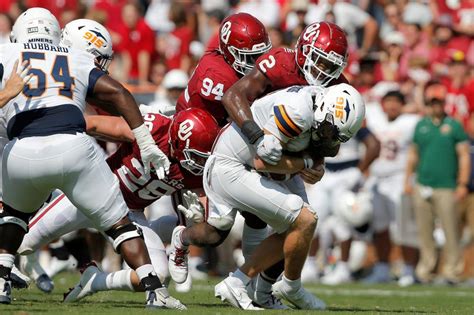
x=210 y=80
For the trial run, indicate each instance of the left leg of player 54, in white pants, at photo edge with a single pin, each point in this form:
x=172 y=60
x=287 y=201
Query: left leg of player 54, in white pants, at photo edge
x=24 y=191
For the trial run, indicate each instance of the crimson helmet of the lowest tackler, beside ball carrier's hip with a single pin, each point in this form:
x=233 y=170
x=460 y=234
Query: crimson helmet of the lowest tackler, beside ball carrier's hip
x=191 y=136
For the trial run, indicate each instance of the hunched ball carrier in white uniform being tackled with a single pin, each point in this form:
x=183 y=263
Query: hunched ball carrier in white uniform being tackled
x=233 y=182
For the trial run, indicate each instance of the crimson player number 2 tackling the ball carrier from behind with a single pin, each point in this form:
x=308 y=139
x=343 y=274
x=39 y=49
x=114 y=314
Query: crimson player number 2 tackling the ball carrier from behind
x=319 y=59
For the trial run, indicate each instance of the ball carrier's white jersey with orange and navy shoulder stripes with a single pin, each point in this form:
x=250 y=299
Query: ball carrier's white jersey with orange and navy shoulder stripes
x=287 y=114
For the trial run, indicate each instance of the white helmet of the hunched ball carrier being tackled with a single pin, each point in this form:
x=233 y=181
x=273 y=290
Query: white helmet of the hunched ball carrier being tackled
x=340 y=108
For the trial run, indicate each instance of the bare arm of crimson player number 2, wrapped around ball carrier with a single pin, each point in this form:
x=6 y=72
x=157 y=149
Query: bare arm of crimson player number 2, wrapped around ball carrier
x=238 y=98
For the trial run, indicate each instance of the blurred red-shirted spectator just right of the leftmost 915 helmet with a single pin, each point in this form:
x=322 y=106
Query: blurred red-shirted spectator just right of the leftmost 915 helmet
x=137 y=44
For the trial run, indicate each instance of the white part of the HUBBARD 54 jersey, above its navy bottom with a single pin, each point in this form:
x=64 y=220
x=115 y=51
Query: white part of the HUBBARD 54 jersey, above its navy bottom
x=60 y=76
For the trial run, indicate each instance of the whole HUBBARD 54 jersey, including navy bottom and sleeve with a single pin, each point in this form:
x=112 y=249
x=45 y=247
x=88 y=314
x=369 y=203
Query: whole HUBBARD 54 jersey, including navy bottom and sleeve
x=54 y=99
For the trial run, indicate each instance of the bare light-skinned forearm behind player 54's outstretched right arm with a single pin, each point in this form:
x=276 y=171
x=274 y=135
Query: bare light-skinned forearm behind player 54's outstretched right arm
x=109 y=128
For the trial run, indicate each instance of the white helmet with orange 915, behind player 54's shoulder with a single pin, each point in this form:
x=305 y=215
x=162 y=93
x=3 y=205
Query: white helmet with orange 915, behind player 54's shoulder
x=90 y=36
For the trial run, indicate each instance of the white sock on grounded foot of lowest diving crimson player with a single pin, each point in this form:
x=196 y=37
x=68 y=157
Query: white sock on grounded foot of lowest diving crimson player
x=119 y=280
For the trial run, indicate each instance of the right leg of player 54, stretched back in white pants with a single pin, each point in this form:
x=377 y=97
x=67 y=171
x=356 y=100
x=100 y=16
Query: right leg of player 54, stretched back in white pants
x=92 y=187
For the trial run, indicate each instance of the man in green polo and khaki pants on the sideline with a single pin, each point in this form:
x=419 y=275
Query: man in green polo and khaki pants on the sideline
x=440 y=155
